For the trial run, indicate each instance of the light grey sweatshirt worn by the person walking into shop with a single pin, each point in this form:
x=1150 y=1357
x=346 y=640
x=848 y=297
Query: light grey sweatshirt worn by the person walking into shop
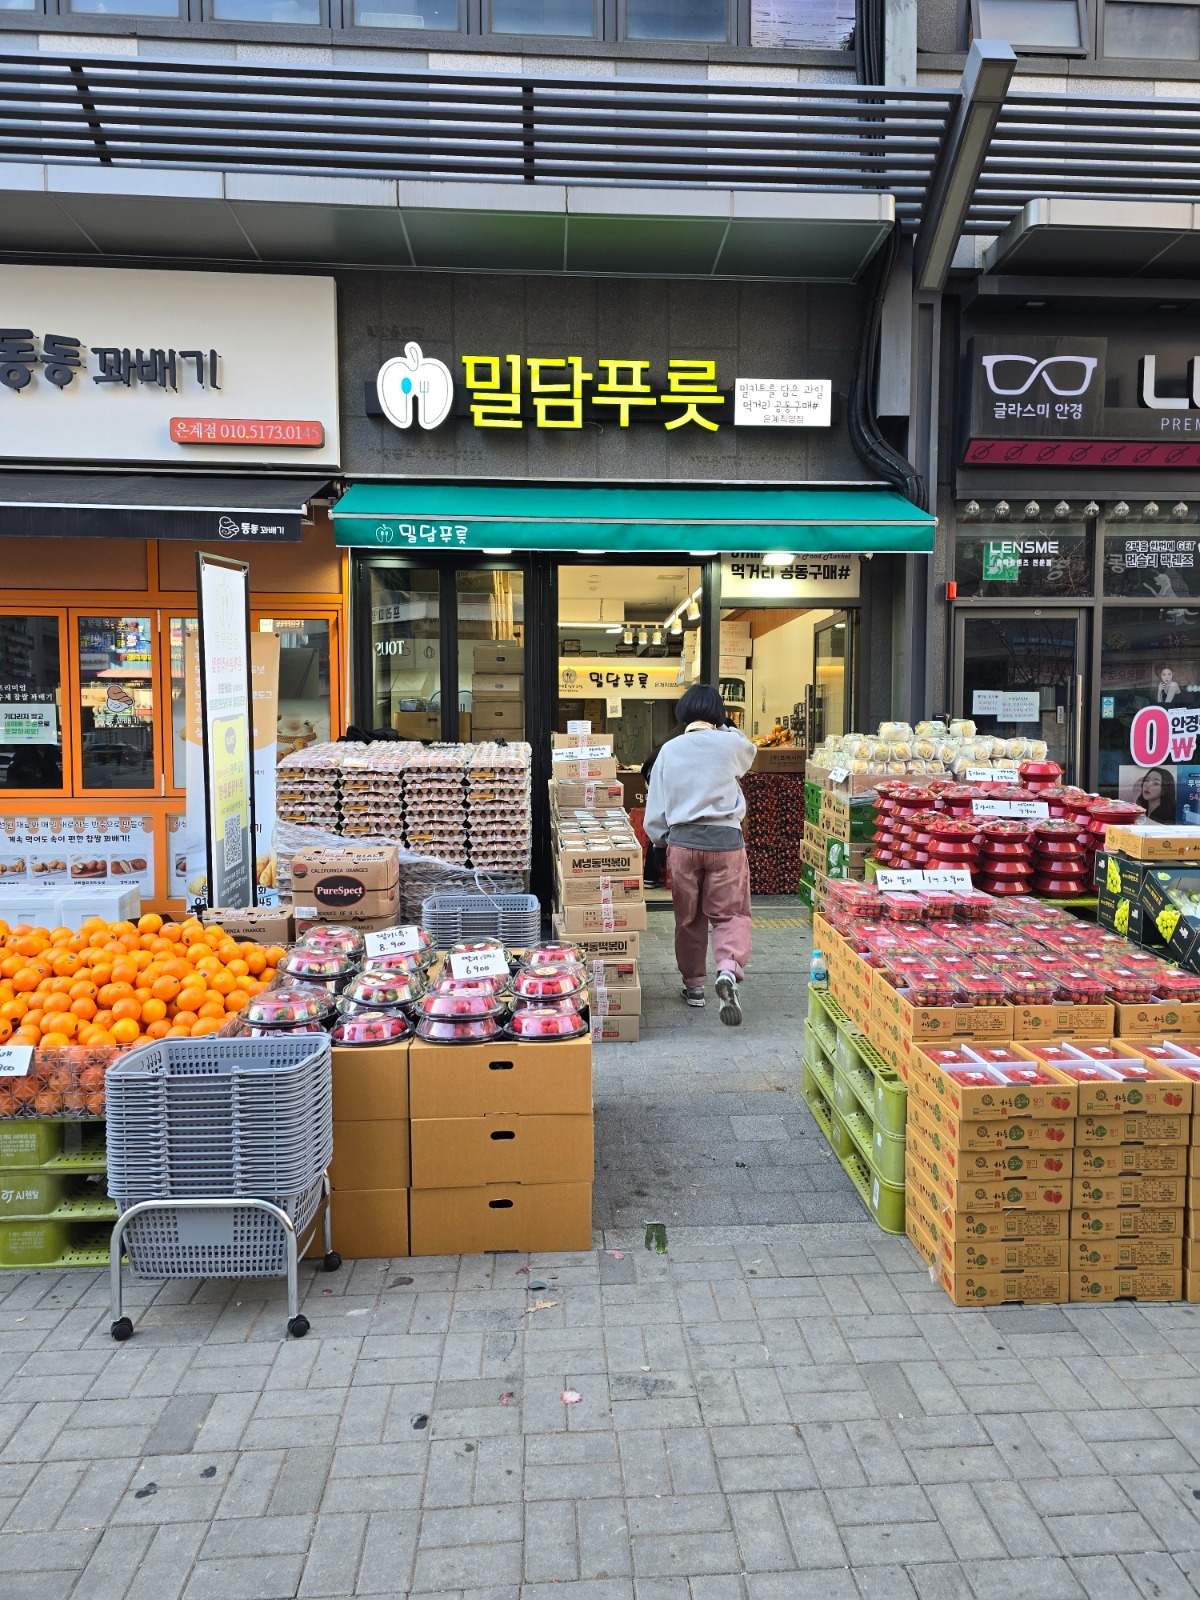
x=695 y=798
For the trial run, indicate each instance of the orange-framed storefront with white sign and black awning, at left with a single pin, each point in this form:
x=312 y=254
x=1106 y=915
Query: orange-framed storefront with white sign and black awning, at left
x=98 y=551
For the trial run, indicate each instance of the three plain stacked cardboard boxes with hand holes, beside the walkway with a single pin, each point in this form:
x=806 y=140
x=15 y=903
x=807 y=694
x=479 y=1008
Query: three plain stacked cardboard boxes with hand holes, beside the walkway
x=502 y=1159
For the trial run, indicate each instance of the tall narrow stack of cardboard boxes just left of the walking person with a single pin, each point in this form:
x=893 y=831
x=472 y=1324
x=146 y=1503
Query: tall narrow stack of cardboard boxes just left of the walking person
x=599 y=900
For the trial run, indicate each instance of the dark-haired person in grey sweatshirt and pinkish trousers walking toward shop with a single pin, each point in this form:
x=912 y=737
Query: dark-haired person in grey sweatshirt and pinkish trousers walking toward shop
x=695 y=807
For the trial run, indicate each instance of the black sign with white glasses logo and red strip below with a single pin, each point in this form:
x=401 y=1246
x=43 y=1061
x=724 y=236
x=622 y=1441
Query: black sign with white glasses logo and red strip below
x=1044 y=401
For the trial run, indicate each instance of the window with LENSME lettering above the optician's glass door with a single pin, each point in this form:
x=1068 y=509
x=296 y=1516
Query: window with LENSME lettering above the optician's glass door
x=1009 y=561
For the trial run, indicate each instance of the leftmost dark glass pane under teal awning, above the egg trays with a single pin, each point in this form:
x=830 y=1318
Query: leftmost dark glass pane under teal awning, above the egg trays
x=406 y=671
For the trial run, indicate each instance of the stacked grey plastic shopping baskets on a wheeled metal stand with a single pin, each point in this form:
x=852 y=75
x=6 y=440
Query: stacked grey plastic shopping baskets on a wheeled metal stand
x=217 y=1159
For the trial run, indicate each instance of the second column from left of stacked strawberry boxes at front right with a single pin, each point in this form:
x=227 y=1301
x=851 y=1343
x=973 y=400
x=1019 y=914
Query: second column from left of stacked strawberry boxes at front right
x=1130 y=1190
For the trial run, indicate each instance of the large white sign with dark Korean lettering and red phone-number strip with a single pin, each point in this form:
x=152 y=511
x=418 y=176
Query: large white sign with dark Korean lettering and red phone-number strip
x=121 y=366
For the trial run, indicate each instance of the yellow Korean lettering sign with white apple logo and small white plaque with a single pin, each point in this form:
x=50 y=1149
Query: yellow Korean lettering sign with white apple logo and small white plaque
x=514 y=391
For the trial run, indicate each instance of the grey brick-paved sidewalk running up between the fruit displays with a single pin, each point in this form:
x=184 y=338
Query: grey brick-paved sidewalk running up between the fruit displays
x=780 y=1407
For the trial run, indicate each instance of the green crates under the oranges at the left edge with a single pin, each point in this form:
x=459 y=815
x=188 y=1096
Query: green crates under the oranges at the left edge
x=55 y=1209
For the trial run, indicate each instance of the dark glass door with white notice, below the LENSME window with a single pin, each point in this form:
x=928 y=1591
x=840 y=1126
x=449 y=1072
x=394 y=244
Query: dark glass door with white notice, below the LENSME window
x=1022 y=678
